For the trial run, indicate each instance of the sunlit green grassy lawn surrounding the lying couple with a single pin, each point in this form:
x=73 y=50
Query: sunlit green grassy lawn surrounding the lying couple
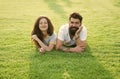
x=20 y=60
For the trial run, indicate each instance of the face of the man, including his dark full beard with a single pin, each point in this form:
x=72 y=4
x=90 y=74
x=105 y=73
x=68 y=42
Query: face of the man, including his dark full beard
x=74 y=25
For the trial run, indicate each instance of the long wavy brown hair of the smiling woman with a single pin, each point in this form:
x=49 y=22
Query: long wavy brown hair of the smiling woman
x=38 y=32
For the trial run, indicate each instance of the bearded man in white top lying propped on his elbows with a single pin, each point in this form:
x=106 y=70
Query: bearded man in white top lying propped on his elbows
x=72 y=36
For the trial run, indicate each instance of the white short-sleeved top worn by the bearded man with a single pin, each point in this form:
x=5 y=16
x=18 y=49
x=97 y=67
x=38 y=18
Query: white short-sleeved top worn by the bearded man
x=63 y=35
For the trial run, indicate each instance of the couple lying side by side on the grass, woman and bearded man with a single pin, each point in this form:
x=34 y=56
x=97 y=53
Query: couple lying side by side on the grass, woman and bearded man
x=71 y=37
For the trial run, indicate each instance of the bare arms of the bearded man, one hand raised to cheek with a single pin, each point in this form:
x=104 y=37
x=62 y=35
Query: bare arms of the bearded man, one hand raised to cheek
x=80 y=45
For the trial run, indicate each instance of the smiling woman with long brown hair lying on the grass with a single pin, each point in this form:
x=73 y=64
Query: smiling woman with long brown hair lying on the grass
x=43 y=34
